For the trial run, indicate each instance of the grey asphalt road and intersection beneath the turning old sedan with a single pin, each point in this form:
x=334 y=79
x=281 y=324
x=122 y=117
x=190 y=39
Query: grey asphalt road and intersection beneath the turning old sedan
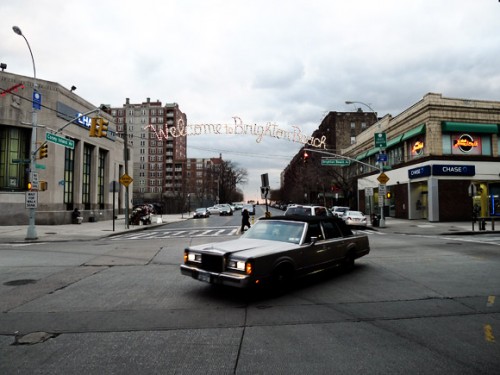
x=414 y=305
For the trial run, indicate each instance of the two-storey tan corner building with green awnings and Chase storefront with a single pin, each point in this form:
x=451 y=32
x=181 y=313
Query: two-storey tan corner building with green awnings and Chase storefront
x=441 y=157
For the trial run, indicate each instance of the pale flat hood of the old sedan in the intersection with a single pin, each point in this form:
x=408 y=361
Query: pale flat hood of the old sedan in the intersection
x=245 y=247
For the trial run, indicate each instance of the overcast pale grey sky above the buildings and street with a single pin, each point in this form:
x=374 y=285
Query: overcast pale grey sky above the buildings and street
x=288 y=62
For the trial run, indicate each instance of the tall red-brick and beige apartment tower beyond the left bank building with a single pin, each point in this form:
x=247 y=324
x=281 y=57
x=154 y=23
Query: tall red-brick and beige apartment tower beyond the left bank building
x=159 y=151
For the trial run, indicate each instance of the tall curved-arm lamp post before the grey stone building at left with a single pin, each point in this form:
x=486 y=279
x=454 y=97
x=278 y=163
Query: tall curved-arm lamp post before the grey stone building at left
x=31 y=234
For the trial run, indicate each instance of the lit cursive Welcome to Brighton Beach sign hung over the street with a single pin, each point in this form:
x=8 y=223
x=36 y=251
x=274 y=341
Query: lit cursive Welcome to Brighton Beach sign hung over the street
x=238 y=128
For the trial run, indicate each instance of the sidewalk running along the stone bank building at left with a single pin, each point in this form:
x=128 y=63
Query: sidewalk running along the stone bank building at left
x=81 y=232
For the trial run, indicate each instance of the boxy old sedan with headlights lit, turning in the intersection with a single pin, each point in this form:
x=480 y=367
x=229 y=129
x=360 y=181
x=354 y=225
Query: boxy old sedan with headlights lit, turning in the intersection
x=276 y=251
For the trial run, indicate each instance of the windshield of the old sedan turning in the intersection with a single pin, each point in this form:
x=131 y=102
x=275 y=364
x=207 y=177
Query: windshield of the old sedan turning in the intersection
x=285 y=231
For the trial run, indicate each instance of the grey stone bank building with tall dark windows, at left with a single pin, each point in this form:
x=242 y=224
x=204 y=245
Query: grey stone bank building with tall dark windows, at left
x=79 y=176
